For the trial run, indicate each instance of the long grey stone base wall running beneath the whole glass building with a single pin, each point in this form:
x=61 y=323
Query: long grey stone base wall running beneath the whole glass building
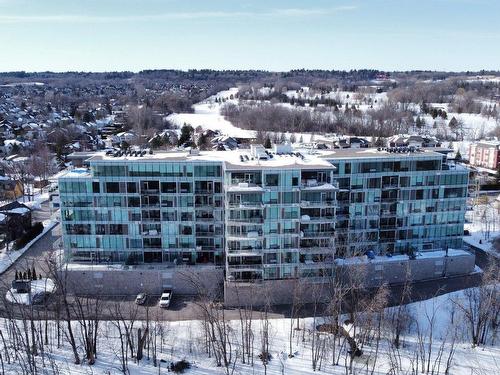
x=188 y=280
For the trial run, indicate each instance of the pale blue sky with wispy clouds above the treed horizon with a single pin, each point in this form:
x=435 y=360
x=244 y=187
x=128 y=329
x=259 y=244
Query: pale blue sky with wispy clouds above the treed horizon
x=275 y=35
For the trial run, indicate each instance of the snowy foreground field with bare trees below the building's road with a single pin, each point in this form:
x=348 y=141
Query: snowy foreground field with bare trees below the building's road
x=436 y=335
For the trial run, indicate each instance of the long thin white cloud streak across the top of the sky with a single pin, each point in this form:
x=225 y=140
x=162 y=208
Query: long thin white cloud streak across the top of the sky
x=72 y=18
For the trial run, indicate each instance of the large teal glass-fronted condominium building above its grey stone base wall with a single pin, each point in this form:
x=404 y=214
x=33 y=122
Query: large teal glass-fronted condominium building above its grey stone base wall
x=262 y=214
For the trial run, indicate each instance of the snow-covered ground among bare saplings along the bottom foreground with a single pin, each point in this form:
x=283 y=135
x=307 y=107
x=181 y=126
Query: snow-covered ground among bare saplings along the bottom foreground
x=185 y=340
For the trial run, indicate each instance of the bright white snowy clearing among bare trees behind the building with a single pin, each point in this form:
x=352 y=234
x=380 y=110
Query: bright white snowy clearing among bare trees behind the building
x=207 y=115
